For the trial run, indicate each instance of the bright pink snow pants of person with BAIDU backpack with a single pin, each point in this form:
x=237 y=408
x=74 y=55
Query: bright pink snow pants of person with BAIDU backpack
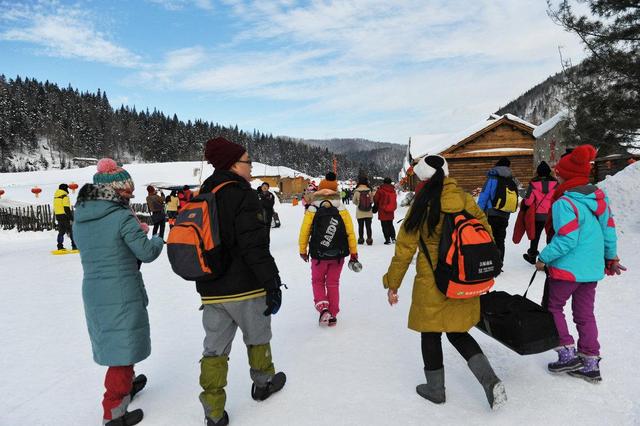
x=325 y=280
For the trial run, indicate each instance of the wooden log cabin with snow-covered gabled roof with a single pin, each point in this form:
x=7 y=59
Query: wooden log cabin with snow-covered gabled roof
x=473 y=152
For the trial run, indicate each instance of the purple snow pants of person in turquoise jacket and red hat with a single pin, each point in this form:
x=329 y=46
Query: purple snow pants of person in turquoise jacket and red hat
x=582 y=303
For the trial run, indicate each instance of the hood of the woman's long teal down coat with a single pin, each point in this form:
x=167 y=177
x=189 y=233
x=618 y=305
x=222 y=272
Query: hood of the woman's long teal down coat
x=97 y=201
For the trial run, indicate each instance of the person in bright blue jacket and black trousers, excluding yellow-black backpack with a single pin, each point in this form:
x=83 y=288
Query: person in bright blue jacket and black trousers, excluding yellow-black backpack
x=498 y=219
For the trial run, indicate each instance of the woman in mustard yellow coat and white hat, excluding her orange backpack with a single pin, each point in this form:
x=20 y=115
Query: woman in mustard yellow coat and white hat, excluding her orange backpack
x=432 y=313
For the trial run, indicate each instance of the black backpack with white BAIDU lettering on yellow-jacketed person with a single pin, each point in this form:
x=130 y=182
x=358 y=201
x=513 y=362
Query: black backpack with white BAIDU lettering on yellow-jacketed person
x=328 y=234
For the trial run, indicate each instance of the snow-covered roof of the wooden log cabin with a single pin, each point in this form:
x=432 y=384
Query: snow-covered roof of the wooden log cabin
x=436 y=143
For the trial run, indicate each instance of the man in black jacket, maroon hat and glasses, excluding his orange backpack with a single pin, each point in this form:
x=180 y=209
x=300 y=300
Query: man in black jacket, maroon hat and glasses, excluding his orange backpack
x=248 y=292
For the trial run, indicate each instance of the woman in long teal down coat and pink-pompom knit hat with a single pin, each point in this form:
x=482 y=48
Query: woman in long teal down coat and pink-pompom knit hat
x=112 y=242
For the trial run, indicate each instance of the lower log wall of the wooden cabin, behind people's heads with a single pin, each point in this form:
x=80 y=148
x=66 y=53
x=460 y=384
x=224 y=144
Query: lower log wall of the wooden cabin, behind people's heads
x=471 y=173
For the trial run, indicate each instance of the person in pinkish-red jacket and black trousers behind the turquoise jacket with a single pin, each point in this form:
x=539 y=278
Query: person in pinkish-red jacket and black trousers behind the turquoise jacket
x=539 y=197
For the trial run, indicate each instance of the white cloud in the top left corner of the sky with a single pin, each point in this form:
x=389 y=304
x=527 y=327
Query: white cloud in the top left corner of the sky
x=64 y=32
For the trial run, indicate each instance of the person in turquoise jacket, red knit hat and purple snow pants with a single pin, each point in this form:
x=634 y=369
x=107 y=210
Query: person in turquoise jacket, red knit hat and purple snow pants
x=583 y=248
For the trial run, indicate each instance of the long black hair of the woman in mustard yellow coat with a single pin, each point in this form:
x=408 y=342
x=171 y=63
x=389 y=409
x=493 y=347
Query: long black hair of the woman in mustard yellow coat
x=427 y=204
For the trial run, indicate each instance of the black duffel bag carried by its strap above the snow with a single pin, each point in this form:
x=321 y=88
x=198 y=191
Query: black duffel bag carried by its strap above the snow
x=517 y=322
